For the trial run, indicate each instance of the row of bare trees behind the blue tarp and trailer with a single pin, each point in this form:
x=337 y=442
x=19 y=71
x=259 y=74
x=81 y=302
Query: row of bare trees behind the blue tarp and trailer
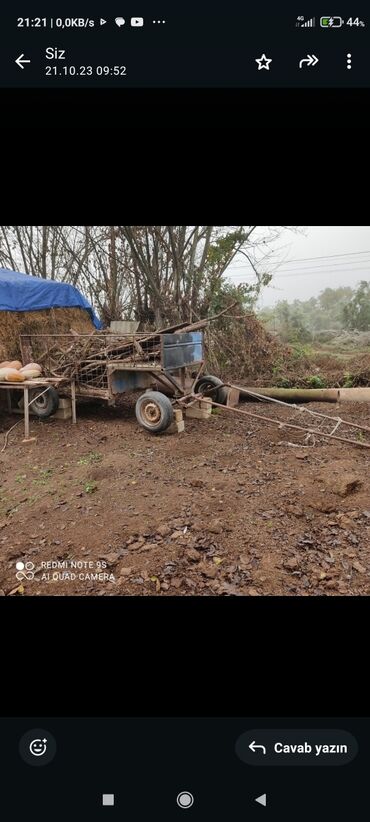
x=161 y=274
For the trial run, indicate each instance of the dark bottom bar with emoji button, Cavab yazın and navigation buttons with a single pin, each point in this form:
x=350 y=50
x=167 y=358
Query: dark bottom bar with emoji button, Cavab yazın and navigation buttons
x=185 y=768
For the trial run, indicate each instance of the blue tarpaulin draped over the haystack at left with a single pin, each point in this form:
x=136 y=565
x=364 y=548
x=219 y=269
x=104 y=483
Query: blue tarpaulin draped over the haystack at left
x=21 y=292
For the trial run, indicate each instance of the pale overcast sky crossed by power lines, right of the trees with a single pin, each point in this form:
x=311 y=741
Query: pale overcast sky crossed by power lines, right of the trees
x=296 y=277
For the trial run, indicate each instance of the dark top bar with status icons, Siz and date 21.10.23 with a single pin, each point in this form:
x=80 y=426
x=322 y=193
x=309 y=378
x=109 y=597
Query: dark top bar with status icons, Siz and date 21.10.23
x=205 y=46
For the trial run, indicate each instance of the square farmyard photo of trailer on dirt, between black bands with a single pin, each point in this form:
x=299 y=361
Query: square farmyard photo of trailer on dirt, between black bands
x=184 y=411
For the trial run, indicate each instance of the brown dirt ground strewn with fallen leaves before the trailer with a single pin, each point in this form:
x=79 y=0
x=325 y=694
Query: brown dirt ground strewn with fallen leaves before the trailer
x=225 y=508
